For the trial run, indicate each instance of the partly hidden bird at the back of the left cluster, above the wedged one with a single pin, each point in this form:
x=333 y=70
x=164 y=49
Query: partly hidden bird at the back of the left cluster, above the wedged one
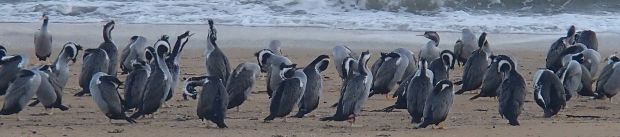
x=133 y=51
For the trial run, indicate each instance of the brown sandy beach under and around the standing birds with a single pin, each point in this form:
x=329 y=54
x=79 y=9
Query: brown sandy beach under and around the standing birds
x=302 y=45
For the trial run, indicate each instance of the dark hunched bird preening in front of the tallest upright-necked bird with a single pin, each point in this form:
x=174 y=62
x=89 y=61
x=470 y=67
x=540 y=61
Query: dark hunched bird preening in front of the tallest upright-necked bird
x=213 y=101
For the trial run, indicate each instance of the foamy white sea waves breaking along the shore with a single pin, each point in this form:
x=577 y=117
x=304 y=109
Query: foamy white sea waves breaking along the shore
x=495 y=16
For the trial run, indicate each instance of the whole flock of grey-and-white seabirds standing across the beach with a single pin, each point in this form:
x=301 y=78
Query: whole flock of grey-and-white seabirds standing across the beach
x=421 y=83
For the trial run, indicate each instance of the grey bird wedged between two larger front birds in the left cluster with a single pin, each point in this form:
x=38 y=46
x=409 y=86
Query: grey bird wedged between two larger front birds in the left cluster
x=135 y=83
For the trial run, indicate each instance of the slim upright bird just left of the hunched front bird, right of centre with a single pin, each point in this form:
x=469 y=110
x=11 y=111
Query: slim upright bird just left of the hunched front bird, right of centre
x=419 y=88
